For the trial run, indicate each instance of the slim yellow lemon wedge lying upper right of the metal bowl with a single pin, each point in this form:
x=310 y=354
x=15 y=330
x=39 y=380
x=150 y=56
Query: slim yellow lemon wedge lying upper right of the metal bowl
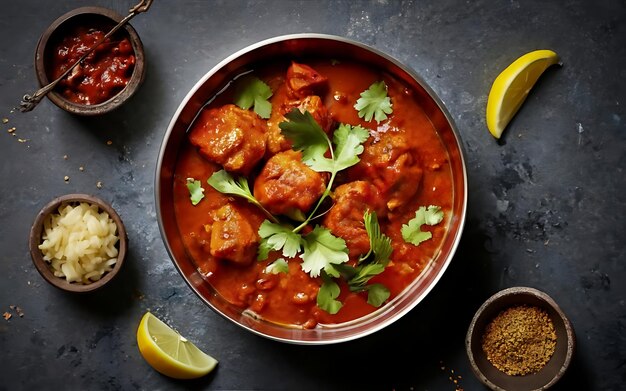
x=512 y=86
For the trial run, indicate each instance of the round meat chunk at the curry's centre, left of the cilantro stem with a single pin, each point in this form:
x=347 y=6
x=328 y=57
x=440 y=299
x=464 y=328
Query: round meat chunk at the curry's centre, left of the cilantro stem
x=286 y=185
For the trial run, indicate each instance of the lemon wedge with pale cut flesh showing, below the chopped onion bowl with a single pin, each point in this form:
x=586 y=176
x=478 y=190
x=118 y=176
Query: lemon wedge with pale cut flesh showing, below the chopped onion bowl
x=170 y=353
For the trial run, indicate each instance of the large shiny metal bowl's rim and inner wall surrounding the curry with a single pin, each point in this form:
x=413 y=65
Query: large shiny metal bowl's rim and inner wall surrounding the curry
x=299 y=46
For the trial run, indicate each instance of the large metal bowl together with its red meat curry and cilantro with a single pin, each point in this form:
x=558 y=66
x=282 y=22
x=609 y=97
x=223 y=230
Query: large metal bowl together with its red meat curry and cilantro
x=311 y=192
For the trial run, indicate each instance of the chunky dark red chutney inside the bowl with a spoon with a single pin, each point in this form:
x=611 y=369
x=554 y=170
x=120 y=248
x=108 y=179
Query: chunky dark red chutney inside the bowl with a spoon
x=101 y=75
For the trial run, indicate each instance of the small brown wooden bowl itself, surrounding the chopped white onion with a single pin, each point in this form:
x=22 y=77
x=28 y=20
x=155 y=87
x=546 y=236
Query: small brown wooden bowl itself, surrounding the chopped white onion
x=43 y=267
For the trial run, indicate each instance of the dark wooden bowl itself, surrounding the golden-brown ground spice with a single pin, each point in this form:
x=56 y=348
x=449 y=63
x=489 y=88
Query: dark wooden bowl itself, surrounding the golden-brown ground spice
x=551 y=372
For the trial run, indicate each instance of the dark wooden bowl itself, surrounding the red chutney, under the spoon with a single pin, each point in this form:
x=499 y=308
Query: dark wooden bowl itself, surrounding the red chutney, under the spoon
x=90 y=17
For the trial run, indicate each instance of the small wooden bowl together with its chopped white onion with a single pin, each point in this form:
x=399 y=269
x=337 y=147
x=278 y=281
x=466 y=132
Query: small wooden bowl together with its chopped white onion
x=78 y=243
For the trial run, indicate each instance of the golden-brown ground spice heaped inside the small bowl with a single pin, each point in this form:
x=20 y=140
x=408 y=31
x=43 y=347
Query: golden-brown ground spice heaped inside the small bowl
x=520 y=340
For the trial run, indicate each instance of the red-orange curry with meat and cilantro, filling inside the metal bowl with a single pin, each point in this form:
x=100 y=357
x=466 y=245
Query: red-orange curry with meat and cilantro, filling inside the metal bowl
x=262 y=257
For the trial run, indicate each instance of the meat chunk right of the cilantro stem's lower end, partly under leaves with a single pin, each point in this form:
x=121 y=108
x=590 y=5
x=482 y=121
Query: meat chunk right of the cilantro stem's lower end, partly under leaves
x=345 y=218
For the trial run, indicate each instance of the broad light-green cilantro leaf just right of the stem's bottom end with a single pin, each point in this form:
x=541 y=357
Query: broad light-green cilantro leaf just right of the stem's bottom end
x=322 y=249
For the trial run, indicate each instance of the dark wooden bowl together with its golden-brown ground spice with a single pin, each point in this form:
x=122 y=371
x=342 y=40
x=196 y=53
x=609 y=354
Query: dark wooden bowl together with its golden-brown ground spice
x=520 y=339
